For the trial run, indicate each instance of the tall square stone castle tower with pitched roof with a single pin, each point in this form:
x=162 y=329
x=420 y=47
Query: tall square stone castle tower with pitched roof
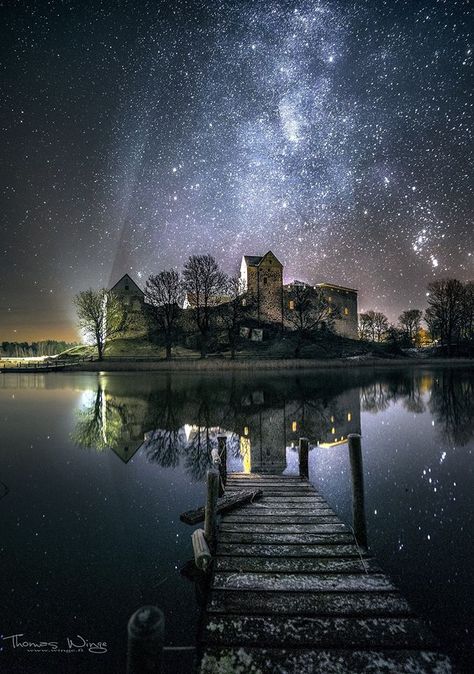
x=262 y=278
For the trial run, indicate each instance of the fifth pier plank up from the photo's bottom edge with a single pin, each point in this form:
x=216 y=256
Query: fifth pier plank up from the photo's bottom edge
x=296 y=565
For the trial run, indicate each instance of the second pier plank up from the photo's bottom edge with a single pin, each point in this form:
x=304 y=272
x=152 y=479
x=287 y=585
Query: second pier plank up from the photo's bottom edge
x=328 y=632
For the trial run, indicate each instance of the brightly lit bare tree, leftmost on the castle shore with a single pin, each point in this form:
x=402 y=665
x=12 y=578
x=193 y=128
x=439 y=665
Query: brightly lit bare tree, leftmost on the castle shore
x=101 y=316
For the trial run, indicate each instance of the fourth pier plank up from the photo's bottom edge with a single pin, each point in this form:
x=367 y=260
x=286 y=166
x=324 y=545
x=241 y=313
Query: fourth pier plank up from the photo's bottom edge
x=302 y=582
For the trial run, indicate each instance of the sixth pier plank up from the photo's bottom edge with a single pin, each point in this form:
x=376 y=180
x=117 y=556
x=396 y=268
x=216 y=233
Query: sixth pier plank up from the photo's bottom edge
x=326 y=549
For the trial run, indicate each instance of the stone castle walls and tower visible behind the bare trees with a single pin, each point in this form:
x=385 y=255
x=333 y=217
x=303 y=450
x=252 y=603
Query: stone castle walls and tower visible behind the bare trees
x=261 y=276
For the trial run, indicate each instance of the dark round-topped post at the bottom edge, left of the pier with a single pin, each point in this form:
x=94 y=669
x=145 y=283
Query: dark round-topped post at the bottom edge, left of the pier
x=146 y=631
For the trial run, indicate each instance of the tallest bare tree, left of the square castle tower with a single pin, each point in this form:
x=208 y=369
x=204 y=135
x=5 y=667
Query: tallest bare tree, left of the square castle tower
x=205 y=284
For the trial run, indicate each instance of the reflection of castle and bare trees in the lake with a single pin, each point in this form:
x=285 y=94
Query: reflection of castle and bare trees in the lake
x=173 y=418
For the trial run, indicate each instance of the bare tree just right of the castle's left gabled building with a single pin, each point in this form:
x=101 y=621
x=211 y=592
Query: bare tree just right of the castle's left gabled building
x=164 y=294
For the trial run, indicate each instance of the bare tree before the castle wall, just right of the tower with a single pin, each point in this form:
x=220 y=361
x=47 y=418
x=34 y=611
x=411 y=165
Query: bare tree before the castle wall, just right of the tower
x=307 y=310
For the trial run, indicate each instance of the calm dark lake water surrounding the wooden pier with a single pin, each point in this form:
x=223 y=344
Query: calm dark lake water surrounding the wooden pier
x=95 y=470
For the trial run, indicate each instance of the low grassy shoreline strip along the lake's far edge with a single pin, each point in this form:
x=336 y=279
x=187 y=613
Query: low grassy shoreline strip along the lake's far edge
x=217 y=365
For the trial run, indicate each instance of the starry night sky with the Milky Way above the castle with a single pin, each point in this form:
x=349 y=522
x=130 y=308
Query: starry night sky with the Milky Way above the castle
x=337 y=134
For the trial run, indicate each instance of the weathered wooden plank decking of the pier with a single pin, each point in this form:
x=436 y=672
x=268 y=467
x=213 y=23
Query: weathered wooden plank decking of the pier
x=293 y=593
